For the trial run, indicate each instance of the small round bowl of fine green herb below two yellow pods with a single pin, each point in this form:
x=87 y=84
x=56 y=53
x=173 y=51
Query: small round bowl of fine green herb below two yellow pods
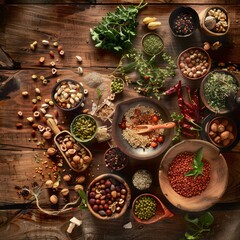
x=152 y=44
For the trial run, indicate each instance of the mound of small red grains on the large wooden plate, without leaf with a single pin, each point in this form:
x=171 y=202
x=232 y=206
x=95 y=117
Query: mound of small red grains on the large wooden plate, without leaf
x=187 y=186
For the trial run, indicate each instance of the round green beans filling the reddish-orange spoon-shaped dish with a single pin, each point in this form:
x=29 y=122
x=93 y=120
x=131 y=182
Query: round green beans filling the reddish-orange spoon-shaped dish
x=145 y=207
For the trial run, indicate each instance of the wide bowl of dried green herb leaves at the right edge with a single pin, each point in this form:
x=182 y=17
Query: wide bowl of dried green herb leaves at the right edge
x=222 y=96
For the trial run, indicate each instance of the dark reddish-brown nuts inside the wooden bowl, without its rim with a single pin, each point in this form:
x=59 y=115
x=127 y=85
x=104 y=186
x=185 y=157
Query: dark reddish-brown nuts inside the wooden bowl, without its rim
x=107 y=196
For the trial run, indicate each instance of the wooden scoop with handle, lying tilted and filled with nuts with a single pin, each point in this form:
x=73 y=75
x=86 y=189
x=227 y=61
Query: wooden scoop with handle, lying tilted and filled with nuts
x=58 y=139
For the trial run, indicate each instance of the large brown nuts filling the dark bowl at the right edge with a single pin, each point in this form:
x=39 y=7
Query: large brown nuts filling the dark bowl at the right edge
x=221 y=132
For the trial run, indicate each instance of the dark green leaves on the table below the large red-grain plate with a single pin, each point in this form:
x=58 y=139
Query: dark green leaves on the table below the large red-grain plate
x=198 y=227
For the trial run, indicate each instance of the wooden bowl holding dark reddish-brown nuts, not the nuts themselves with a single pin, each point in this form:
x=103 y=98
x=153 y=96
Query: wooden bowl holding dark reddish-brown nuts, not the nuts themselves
x=115 y=214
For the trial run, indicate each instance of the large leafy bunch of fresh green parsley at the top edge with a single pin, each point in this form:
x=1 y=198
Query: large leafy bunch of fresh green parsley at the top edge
x=116 y=30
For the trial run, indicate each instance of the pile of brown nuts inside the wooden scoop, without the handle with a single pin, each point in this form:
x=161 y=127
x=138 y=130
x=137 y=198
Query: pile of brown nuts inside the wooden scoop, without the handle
x=77 y=156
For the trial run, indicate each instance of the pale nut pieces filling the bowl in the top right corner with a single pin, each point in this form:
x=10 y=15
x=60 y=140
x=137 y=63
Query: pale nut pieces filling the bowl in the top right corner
x=216 y=20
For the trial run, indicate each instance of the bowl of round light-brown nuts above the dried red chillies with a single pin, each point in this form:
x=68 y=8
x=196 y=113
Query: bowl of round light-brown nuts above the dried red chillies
x=185 y=56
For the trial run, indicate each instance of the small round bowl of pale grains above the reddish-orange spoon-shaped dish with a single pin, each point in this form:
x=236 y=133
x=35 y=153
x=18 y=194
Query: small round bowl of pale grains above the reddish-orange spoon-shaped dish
x=142 y=179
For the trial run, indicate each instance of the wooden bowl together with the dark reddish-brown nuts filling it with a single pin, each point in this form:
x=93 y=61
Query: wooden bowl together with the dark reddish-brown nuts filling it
x=108 y=196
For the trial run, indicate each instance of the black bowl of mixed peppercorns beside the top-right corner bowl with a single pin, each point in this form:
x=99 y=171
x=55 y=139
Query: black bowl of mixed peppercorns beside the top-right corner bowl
x=183 y=21
